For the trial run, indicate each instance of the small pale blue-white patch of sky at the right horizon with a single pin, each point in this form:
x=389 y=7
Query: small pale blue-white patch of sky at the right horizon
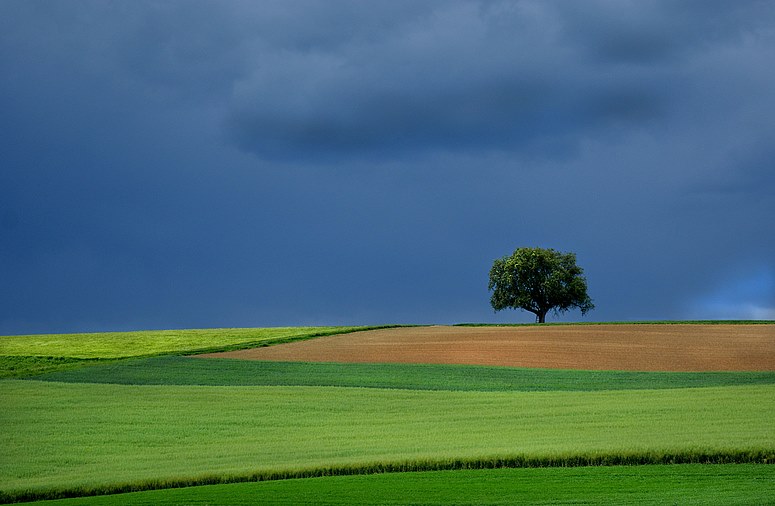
x=749 y=296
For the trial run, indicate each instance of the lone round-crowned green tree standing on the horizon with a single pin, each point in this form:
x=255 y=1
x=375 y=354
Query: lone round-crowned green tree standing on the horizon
x=539 y=280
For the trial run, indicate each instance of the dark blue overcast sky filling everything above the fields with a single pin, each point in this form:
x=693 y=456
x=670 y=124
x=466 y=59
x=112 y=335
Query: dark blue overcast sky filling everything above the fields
x=241 y=163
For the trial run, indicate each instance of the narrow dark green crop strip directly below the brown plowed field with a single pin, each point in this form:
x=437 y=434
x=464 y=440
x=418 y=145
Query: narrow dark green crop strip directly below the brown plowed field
x=201 y=371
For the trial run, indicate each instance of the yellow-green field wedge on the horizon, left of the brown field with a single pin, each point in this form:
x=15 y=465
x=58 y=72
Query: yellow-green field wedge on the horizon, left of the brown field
x=154 y=342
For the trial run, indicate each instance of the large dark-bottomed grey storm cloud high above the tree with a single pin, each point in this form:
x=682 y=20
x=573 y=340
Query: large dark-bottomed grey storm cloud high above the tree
x=464 y=76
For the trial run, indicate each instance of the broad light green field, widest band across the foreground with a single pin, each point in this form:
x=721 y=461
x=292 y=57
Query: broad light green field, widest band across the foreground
x=85 y=436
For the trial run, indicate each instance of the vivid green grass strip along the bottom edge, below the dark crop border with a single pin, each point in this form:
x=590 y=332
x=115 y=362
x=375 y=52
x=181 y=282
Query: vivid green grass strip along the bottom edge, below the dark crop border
x=734 y=484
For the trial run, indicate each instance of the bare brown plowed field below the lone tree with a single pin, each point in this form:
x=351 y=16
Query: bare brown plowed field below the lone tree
x=642 y=347
